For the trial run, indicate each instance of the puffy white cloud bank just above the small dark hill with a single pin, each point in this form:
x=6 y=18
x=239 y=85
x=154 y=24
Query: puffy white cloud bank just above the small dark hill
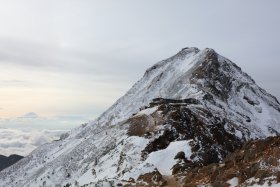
x=22 y=142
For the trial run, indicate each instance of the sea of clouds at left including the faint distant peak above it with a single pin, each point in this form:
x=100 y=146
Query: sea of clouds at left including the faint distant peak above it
x=21 y=135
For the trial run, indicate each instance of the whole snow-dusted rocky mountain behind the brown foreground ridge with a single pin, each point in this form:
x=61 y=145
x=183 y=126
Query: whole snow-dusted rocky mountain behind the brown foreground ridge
x=196 y=102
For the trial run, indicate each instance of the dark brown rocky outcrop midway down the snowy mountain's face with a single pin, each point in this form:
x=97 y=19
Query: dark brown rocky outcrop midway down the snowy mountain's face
x=184 y=120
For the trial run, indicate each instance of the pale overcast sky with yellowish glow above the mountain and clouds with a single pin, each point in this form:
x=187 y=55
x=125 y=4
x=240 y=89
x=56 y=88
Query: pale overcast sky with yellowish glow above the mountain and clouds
x=69 y=60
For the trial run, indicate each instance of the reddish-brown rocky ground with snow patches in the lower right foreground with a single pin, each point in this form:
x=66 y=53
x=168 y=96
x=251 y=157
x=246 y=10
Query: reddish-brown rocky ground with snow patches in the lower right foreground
x=257 y=162
